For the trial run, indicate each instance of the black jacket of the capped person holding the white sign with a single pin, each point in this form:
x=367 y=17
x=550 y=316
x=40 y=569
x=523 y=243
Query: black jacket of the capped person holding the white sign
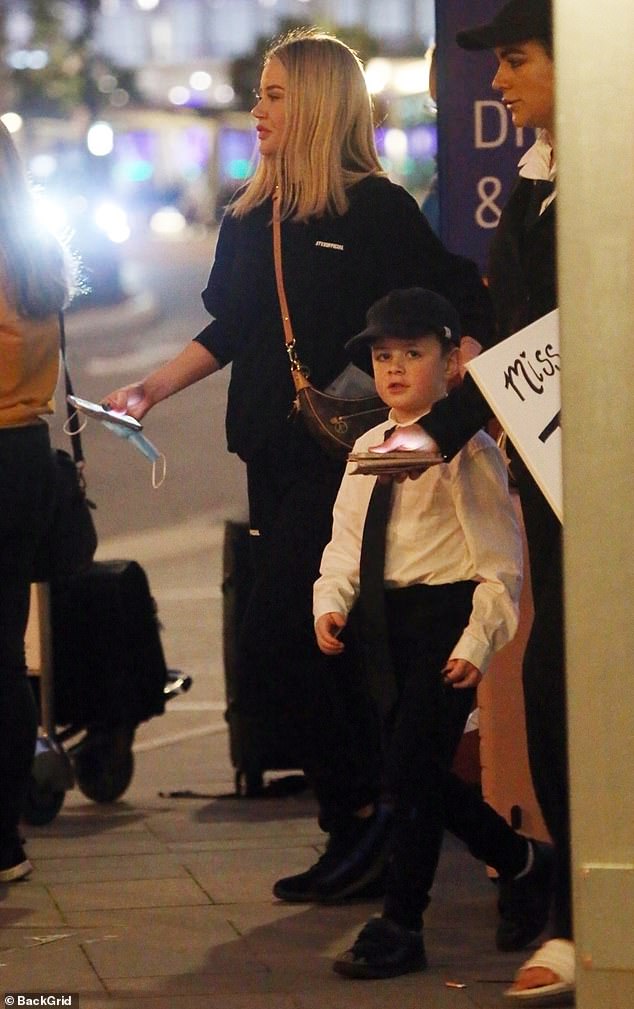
x=523 y=286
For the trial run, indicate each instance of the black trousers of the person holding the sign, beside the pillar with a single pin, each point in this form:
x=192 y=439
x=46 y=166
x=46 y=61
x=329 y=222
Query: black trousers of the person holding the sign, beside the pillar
x=544 y=678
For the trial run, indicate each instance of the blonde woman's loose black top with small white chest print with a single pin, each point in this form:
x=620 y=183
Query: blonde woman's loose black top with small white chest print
x=335 y=269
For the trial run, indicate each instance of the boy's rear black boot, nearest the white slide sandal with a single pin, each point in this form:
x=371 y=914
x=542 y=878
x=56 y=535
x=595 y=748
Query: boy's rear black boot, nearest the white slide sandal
x=524 y=904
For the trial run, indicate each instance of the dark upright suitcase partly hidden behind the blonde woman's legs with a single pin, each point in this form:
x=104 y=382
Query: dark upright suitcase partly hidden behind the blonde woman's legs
x=254 y=748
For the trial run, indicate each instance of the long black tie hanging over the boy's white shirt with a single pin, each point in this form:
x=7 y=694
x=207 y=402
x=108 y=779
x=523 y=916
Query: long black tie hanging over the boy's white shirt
x=374 y=625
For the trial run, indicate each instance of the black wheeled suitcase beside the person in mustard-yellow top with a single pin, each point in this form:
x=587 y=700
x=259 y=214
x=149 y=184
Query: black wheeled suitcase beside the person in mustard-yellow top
x=97 y=668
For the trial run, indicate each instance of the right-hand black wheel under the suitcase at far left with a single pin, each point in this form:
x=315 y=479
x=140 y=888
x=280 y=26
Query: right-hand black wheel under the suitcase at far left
x=104 y=763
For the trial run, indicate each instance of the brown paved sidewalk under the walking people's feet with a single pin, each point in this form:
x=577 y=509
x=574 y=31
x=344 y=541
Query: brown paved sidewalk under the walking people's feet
x=165 y=903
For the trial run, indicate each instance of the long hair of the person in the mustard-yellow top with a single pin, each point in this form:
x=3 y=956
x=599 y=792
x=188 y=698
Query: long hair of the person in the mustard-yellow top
x=36 y=267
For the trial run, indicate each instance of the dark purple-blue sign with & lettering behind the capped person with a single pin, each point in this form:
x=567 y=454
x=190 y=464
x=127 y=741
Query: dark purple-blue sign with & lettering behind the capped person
x=479 y=147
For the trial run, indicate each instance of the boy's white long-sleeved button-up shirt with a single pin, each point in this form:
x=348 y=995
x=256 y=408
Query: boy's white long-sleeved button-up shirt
x=456 y=523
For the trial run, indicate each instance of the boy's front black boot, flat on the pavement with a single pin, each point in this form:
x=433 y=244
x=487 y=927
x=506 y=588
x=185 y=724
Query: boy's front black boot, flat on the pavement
x=383 y=950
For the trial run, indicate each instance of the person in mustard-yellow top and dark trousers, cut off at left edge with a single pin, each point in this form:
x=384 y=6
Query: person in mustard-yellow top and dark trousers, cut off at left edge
x=35 y=286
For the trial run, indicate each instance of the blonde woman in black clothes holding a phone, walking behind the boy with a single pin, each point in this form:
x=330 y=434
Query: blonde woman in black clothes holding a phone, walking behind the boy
x=349 y=237
